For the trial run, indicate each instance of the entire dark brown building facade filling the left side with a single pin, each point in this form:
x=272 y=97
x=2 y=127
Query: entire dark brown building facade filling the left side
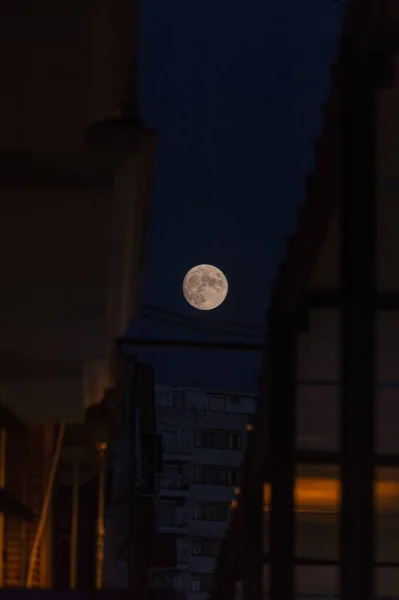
x=75 y=177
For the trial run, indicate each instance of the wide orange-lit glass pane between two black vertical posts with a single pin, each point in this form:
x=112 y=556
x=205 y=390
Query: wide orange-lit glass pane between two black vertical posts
x=317 y=503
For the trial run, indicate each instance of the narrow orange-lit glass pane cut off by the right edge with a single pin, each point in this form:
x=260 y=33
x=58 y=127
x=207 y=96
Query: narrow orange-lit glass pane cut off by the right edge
x=387 y=514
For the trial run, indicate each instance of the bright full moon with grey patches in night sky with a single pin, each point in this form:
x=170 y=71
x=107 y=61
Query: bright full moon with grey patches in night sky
x=205 y=287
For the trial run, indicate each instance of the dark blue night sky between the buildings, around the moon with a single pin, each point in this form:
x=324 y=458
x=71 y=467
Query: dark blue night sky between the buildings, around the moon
x=234 y=90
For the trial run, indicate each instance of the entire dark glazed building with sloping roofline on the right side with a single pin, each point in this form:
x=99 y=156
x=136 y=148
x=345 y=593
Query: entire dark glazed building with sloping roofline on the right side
x=318 y=509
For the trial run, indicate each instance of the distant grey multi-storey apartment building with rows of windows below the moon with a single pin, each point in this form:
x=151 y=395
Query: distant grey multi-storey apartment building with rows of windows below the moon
x=203 y=436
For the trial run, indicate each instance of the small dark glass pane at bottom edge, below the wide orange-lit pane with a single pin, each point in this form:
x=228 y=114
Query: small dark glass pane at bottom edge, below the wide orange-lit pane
x=316 y=581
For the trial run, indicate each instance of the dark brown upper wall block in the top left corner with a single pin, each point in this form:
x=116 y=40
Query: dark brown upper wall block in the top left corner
x=50 y=97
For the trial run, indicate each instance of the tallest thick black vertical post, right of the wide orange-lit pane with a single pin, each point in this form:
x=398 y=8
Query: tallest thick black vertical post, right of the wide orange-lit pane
x=357 y=270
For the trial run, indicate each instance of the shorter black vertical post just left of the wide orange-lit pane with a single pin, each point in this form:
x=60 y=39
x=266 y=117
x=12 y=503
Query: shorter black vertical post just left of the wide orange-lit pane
x=282 y=436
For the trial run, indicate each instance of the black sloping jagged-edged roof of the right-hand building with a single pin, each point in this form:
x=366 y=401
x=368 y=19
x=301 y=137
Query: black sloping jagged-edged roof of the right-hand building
x=365 y=23
